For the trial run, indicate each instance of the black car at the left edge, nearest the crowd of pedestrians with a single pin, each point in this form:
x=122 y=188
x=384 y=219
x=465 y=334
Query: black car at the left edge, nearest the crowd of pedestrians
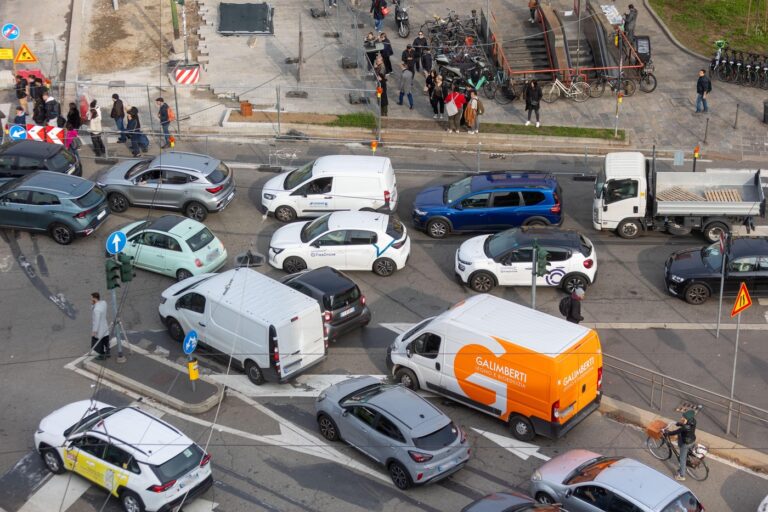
x=20 y=158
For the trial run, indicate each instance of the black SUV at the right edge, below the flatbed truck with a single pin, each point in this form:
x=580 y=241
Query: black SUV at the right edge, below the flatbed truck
x=694 y=274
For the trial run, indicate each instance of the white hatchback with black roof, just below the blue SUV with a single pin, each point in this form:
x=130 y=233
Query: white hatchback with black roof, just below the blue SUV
x=506 y=259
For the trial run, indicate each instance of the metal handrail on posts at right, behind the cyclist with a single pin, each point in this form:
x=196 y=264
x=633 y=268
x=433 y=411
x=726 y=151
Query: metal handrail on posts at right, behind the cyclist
x=710 y=397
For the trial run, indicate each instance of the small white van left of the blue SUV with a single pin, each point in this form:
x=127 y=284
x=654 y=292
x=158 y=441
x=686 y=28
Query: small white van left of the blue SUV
x=332 y=183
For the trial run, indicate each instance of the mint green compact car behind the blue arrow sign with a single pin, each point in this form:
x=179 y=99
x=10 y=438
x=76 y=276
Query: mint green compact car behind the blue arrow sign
x=174 y=246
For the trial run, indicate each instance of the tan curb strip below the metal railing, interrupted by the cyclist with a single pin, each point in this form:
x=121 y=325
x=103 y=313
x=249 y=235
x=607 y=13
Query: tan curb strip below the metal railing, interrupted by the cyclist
x=725 y=448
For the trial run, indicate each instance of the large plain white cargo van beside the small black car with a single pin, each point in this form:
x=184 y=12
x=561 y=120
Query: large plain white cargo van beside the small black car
x=272 y=331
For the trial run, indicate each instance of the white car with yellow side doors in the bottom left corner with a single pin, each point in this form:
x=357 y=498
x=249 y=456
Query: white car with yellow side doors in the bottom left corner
x=139 y=459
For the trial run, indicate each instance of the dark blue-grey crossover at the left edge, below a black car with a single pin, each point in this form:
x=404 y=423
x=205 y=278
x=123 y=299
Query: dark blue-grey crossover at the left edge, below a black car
x=62 y=205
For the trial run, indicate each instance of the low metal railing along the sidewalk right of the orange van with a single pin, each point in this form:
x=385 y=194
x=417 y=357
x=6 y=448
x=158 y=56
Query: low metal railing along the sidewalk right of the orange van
x=661 y=384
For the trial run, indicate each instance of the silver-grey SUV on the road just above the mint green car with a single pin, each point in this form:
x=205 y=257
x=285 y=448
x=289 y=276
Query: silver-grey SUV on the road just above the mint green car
x=189 y=182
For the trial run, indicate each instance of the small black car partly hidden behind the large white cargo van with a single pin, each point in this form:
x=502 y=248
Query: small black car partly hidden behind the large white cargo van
x=342 y=304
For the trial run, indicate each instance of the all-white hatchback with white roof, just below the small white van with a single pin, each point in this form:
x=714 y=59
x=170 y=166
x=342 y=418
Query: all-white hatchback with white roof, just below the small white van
x=344 y=241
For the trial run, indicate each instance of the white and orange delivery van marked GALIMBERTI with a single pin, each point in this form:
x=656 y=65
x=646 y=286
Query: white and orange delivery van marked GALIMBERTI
x=539 y=373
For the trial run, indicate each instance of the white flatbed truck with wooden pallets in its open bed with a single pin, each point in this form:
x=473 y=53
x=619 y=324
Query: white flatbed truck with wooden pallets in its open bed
x=631 y=197
